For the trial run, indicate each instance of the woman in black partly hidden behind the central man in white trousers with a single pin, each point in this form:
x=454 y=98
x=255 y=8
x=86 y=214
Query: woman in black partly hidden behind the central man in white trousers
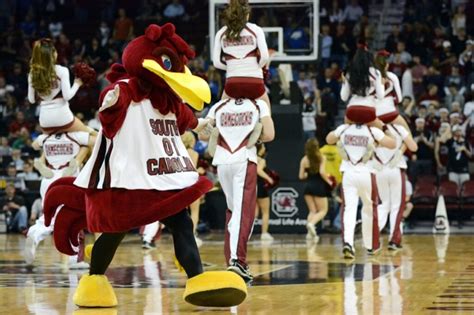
x=263 y=198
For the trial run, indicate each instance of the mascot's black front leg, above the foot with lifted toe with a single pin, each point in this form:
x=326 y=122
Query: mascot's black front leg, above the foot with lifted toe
x=185 y=248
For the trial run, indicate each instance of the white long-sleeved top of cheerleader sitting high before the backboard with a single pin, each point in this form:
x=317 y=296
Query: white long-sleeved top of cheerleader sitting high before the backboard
x=239 y=57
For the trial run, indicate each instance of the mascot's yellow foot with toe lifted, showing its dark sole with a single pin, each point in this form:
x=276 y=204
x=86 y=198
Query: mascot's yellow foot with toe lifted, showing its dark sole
x=215 y=288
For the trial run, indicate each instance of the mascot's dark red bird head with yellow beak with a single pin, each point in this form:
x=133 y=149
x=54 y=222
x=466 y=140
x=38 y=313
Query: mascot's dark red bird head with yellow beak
x=159 y=60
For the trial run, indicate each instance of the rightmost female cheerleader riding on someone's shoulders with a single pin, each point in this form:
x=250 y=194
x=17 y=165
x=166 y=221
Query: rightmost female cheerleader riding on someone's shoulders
x=386 y=108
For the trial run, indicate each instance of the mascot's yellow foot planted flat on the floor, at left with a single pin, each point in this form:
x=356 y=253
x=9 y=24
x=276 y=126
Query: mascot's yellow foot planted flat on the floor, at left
x=94 y=291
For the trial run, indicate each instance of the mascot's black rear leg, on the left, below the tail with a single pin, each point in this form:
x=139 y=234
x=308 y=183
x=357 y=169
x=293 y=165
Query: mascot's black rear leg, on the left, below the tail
x=103 y=252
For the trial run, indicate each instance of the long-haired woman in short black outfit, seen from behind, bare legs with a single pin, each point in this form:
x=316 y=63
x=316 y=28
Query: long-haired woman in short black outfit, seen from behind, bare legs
x=318 y=186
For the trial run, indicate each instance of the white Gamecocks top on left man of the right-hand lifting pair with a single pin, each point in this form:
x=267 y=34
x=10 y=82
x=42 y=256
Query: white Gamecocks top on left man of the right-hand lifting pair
x=355 y=140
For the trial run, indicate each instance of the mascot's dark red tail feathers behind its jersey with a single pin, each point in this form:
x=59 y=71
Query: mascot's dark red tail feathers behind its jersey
x=66 y=202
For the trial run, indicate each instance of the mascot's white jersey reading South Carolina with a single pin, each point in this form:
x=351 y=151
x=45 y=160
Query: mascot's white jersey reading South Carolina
x=155 y=159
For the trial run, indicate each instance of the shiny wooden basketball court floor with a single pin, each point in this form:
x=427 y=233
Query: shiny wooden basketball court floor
x=431 y=275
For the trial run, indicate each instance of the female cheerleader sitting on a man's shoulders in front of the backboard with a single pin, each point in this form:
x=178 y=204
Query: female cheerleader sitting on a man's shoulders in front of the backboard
x=241 y=50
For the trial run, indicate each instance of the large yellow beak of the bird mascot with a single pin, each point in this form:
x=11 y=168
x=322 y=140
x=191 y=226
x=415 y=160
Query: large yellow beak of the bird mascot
x=192 y=89
